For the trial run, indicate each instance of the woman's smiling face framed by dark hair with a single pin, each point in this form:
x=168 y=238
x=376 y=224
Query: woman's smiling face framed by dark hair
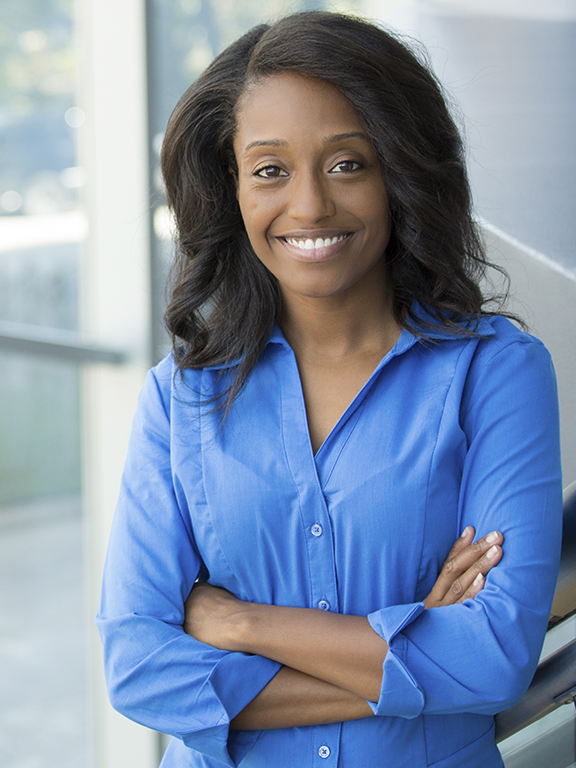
x=310 y=187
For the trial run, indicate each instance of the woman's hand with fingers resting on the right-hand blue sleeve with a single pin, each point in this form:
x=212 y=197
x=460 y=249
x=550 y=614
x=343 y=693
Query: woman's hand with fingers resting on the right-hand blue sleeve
x=464 y=570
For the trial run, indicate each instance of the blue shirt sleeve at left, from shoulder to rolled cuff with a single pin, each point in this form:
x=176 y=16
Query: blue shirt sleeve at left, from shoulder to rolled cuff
x=156 y=674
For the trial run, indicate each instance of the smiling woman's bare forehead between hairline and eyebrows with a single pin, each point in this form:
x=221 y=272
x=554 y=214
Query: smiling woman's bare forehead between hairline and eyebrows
x=289 y=107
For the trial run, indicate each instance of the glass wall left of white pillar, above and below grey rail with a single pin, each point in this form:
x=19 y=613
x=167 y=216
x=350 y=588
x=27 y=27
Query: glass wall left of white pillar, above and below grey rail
x=43 y=707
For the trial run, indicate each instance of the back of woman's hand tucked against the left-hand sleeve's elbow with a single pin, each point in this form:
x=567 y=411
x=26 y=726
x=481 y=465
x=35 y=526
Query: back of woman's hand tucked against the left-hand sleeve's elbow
x=214 y=616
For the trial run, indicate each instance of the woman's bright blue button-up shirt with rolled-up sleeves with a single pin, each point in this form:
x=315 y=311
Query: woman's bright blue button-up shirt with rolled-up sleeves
x=447 y=432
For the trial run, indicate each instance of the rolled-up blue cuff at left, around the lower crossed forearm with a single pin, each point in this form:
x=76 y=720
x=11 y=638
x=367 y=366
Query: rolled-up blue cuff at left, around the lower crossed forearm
x=235 y=681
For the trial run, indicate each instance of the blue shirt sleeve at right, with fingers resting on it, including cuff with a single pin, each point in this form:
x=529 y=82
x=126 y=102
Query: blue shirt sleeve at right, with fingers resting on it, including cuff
x=480 y=656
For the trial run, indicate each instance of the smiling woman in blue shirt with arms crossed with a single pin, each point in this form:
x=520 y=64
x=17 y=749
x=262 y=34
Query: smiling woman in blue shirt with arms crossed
x=339 y=406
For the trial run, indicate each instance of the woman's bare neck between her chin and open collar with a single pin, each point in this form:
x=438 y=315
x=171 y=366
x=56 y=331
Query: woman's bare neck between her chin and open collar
x=353 y=323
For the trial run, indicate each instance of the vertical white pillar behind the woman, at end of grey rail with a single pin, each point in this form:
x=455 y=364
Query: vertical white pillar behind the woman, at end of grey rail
x=115 y=305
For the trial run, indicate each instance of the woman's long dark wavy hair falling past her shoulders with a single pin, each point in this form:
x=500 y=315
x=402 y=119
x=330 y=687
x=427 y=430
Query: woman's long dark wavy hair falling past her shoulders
x=224 y=302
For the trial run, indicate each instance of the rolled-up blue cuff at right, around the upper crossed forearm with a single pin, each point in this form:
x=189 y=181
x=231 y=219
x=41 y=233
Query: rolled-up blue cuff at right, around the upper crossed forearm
x=400 y=694
